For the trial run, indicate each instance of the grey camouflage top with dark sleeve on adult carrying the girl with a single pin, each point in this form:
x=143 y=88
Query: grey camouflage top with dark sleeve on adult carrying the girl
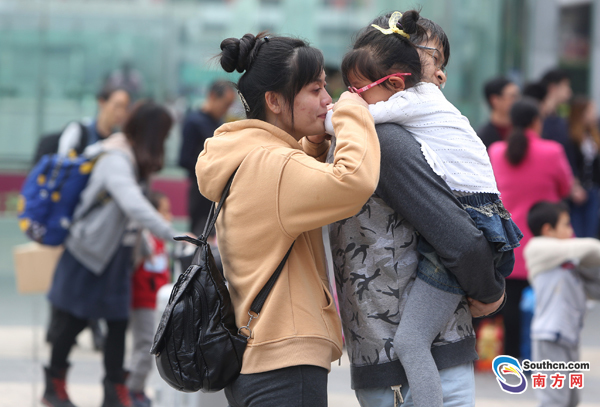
x=375 y=262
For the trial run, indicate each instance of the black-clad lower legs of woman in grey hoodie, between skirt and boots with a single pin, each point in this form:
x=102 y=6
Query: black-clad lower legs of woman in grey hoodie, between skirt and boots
x=69 y=326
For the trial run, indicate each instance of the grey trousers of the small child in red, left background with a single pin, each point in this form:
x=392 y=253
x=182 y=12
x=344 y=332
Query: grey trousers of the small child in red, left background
x=142 y=323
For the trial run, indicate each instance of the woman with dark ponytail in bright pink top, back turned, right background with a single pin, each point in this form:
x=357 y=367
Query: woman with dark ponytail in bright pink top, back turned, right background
x=528 y=169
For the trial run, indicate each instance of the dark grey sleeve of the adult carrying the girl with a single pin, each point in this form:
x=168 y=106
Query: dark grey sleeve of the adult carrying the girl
x=411 y=188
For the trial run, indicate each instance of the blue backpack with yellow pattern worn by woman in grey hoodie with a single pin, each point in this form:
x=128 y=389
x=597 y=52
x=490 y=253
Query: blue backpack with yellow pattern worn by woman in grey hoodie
x=50 y=194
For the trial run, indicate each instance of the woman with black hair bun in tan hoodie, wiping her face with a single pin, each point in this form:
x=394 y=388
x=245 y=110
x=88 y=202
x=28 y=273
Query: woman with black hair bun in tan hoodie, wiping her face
x=282 y=194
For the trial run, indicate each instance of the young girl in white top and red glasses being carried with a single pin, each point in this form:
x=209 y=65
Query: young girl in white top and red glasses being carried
x=385 y=69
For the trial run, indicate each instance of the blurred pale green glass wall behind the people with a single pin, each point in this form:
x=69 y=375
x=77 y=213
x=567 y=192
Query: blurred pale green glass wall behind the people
x=55 y=55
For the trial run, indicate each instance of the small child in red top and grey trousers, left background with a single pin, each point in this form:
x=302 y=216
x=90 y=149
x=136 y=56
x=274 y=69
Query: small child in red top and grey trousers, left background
x=150 y=275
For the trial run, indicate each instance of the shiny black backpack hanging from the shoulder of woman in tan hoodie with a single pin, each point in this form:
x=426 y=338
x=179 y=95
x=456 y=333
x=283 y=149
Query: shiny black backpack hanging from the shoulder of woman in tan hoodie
x=197 y=344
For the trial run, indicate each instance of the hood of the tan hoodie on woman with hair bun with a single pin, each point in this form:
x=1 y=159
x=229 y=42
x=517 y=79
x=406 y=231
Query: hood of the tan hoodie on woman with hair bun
x=226 y=150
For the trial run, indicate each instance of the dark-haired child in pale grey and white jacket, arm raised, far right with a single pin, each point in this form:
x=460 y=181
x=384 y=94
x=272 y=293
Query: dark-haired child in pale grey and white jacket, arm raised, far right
x=563 y=271
